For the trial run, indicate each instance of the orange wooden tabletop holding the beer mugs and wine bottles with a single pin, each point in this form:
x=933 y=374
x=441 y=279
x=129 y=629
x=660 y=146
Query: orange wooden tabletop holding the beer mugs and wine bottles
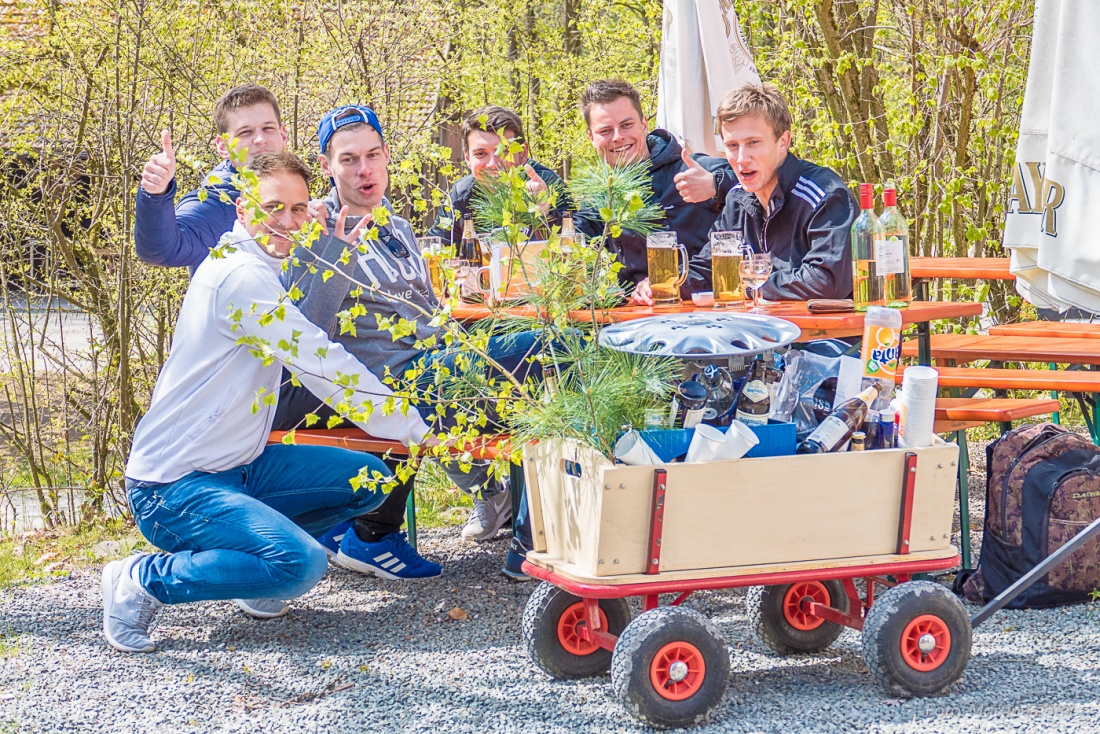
x=815 y=326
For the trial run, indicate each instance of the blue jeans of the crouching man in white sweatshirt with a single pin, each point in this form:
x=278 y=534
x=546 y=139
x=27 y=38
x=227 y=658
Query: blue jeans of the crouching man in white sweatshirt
x=249 y=533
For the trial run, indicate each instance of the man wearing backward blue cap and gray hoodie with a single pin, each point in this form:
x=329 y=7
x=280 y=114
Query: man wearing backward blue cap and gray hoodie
x=356 y=157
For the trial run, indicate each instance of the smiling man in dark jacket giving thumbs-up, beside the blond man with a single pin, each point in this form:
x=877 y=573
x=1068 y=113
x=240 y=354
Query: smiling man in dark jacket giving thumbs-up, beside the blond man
x=691 y=189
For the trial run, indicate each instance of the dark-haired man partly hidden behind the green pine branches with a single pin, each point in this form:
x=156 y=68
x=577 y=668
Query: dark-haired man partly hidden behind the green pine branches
x=482 y=132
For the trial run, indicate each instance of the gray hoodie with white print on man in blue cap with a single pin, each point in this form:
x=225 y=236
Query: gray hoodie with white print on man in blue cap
x=386 y=278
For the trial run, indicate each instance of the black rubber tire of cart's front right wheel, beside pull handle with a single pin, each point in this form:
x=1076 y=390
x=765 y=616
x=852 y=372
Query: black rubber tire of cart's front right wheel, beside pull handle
x=883 y=639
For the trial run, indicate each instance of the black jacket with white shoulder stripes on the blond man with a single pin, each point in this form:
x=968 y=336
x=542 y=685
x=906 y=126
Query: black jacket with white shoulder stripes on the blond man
x=808 y=231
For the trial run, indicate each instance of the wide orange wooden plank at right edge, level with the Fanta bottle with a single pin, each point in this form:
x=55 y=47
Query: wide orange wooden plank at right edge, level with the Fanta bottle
x=970 y=348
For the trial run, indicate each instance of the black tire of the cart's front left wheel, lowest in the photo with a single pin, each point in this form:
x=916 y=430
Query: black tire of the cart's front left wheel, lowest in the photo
x=639 y=645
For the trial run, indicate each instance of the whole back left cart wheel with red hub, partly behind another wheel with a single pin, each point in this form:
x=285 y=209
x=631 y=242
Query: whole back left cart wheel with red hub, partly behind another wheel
x=553 y=623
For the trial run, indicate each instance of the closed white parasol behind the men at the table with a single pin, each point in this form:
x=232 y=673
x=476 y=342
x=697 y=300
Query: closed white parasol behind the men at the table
x=703 y=58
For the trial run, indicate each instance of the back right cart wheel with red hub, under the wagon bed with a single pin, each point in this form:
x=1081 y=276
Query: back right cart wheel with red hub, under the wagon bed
x=780 y=623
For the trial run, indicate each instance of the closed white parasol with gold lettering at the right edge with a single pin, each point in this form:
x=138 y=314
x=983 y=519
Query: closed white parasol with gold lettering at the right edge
x=1050 y=231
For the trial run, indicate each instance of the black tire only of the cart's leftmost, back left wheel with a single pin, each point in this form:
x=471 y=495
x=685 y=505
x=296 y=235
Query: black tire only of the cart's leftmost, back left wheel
x=541 y=633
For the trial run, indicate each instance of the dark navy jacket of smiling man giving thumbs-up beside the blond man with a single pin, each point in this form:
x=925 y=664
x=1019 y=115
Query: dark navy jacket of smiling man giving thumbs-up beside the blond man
x=691 y=222
